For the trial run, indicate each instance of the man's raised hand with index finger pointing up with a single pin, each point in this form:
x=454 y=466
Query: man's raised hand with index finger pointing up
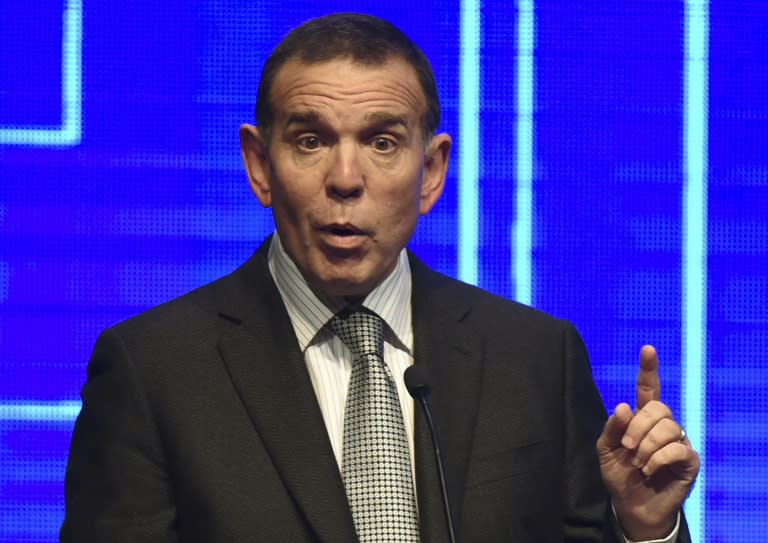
x=647 y=463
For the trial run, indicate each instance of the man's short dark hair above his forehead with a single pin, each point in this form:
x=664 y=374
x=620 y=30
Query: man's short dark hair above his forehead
x=363 y=38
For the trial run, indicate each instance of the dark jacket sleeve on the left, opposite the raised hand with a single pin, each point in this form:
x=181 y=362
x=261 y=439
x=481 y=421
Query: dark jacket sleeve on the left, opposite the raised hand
x=116 y=485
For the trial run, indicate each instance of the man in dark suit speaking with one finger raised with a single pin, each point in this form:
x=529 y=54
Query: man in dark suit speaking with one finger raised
x=225 y=415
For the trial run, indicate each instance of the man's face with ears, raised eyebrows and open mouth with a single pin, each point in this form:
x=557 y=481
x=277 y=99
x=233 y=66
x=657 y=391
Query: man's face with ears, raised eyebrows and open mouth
x=346 y=170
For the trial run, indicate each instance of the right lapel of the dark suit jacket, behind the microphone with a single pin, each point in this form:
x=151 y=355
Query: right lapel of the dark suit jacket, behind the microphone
x=451 y=352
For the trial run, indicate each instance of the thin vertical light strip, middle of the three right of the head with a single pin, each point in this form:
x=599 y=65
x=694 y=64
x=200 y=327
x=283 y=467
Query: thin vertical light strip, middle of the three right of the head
x=524 y=153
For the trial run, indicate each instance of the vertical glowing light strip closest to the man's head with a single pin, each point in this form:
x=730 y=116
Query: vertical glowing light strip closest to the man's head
x=469 y=140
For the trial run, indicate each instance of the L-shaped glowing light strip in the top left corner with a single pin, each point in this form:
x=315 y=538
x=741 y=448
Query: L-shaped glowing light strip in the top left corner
x=70 y=131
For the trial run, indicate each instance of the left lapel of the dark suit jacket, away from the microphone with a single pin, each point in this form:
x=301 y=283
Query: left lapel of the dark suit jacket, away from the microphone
x=271 y=378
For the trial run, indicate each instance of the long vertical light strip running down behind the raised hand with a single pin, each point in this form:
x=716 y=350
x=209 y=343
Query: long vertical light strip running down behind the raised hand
x=694 y=260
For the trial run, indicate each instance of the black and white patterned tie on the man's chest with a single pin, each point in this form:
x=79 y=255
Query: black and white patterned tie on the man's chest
x=376 y=462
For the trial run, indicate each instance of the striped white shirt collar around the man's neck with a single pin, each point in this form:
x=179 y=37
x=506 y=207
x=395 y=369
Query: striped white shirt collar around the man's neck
x=391 y=300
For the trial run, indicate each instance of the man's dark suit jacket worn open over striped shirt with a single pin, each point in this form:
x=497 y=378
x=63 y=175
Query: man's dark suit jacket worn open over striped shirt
x=200 y=423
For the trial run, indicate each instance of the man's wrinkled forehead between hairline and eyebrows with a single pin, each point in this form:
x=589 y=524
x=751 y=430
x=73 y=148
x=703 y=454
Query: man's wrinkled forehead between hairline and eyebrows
x=343 y=85
